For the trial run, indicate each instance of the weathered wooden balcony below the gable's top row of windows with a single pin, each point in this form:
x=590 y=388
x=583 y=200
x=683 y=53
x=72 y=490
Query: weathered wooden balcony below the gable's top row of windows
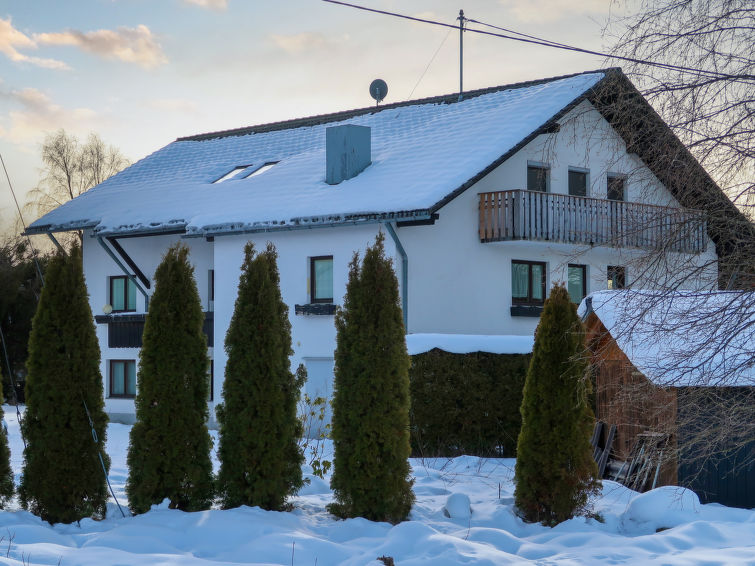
x=549 y=217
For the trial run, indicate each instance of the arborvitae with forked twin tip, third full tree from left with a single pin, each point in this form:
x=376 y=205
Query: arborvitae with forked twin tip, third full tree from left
x=260 y=460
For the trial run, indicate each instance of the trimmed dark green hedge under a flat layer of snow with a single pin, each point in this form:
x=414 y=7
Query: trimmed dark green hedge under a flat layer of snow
x=466 y=403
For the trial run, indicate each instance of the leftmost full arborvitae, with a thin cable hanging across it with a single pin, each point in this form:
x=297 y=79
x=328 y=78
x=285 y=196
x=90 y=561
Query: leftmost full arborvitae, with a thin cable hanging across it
x=62 y=479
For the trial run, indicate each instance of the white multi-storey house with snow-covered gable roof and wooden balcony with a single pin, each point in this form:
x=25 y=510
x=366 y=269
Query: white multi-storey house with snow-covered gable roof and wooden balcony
x=485 y=202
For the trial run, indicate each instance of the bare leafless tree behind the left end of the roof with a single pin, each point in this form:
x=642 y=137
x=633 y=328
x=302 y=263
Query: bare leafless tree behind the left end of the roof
x=72 y=168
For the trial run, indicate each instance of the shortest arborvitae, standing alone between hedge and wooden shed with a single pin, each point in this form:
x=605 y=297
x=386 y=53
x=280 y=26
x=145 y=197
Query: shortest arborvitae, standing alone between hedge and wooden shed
x=555 y=470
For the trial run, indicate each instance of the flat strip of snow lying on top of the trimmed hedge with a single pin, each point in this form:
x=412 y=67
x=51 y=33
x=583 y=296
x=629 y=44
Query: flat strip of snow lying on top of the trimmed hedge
x=467 y=343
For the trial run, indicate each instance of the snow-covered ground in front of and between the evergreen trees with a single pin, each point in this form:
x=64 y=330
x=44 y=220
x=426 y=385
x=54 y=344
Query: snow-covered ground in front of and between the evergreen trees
x=441 y=530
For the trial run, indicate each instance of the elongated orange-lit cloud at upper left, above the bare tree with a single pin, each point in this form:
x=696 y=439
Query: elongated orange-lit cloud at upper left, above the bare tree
x=132 y=45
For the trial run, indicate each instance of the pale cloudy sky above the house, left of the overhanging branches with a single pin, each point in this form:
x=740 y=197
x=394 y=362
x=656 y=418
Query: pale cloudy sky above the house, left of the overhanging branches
x=141 y=73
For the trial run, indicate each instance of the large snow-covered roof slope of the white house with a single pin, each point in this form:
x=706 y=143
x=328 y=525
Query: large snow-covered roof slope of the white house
x=423 y=154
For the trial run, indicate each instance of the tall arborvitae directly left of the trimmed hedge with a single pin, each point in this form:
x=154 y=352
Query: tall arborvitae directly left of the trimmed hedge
x=371 y=396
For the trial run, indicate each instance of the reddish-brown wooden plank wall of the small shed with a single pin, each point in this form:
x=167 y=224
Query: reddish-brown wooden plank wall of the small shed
x=626 y=398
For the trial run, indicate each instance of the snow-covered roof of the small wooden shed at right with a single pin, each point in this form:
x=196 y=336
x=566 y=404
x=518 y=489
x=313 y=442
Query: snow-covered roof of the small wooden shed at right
x=682 y=338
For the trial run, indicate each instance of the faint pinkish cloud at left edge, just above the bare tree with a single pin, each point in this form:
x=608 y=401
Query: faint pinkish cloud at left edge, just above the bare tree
x=38 y=114
